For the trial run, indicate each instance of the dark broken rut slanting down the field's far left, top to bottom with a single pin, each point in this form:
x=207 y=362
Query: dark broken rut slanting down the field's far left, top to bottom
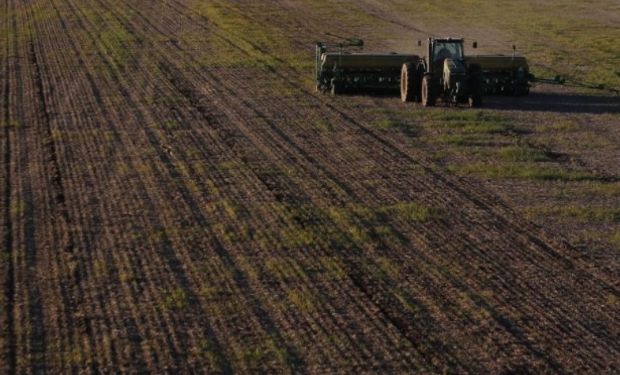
x=73 y=291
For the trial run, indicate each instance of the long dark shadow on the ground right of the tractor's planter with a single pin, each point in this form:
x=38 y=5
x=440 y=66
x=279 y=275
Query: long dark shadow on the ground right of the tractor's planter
x=556 y=102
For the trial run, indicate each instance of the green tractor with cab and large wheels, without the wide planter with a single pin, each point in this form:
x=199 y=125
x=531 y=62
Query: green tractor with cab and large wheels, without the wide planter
x=443 y=74
